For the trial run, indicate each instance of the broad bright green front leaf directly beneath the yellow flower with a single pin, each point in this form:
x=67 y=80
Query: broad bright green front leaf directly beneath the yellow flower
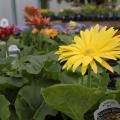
x=72 y=100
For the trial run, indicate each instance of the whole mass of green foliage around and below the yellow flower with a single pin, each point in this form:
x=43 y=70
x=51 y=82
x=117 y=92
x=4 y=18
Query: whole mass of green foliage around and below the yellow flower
x=36 y=88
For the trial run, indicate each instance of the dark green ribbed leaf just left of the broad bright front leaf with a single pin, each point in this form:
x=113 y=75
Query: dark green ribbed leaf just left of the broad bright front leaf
x=28 y=100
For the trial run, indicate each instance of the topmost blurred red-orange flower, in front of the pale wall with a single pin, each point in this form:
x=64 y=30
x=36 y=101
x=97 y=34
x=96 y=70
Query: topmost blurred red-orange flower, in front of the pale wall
x=31 y=11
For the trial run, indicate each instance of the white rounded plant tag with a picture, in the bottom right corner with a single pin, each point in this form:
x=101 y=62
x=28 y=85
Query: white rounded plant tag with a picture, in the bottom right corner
x=108 y=110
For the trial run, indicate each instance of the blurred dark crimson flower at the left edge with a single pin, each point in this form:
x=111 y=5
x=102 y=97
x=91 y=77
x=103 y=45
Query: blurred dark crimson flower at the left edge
x=8 y=31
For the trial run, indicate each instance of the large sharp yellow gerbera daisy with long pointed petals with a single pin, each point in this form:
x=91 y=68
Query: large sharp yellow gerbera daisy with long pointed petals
x=91 y=47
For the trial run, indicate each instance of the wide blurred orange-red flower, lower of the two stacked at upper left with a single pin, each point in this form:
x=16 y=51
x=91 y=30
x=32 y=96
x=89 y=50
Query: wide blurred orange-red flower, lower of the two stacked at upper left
x=37 y=21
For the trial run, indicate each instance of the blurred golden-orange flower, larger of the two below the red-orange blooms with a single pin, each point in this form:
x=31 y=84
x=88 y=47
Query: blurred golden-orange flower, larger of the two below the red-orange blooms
x=50 y=32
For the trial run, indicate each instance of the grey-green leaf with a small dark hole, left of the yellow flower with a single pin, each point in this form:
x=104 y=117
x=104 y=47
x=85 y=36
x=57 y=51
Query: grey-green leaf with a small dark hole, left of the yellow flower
x=31 y=64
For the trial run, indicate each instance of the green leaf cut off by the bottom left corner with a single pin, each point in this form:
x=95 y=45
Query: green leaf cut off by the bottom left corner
x=4 y=108
